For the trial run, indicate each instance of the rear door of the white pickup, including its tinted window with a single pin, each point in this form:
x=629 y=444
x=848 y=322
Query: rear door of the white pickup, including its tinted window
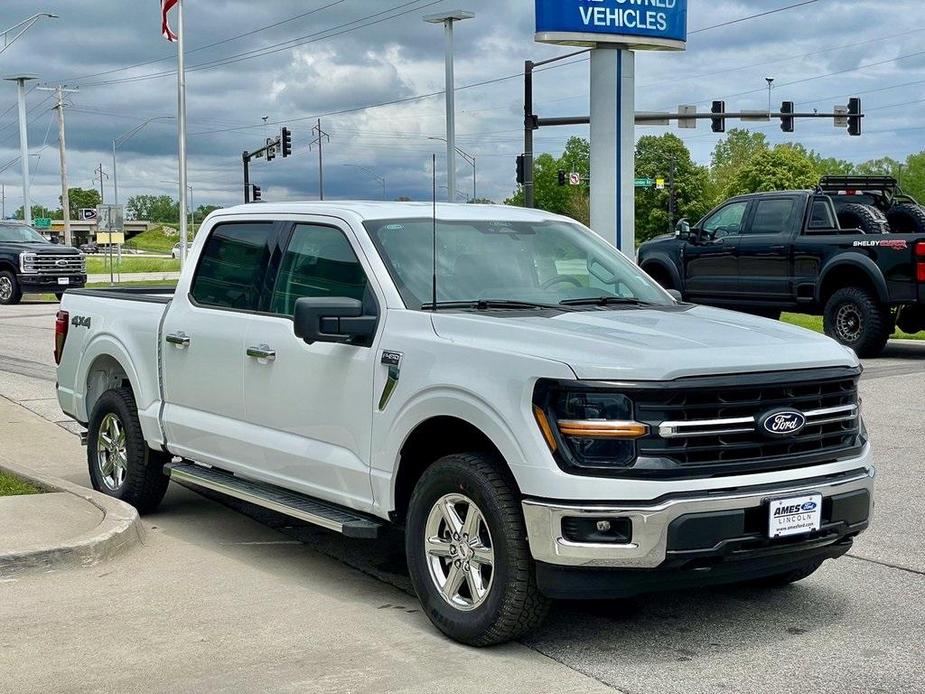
x=203 y=351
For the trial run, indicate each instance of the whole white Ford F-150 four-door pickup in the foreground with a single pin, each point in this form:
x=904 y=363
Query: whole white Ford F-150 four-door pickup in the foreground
x=542 y=419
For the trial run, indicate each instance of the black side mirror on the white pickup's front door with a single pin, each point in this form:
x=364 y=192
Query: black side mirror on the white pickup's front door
x=333 y=319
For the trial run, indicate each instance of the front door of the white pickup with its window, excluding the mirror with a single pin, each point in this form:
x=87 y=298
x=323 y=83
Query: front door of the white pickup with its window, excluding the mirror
x=311 y=406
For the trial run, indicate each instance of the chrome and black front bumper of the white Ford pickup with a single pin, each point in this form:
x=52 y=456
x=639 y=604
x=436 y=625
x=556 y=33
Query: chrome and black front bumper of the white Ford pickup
x=699 y=526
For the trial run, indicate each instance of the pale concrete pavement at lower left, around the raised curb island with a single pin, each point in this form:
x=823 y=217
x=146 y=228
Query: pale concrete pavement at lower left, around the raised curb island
x=216 y=602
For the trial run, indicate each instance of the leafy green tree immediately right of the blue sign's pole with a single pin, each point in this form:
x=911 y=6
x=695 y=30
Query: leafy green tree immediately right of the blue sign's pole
x=654 y=158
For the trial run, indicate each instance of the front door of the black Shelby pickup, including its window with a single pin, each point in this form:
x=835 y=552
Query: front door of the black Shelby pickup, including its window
x=710 y=267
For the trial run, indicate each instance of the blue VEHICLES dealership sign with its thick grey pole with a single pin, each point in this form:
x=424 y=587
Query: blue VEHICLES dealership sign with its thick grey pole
x=613 y=29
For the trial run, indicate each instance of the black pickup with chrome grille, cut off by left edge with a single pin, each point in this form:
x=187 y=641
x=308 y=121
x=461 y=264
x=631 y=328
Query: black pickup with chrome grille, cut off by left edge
x=30 y=264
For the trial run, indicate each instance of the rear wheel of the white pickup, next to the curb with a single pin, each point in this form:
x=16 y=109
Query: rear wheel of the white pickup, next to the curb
x=143 y=482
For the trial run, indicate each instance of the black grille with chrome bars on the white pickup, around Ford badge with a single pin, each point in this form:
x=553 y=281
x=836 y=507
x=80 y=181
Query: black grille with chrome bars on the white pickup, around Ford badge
x=711 y=427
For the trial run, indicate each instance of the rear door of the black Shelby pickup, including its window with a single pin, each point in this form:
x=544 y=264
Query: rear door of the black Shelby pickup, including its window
x=765 y=249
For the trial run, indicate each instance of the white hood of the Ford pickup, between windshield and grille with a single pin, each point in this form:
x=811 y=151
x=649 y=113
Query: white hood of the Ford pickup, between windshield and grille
x=648 y=344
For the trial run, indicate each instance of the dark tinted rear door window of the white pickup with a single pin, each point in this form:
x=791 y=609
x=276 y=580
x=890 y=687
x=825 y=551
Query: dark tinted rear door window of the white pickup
x=232 y=266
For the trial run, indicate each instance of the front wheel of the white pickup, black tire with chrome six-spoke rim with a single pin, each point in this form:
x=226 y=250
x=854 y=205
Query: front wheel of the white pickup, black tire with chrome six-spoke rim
x=467 y=552
